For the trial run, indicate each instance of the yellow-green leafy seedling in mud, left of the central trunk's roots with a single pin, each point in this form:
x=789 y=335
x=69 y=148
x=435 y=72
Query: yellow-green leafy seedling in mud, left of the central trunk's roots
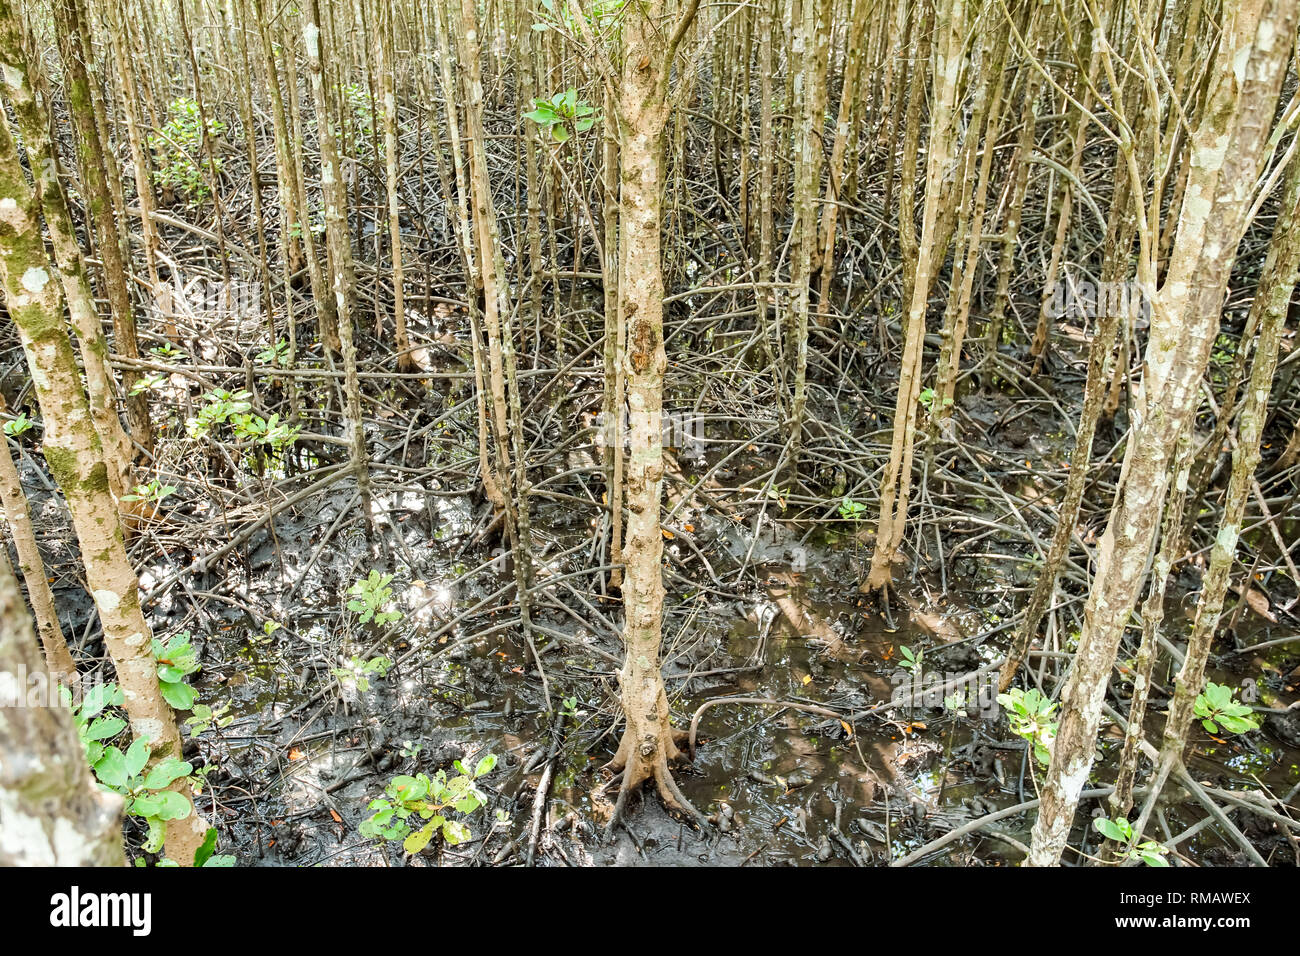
x=430 y=799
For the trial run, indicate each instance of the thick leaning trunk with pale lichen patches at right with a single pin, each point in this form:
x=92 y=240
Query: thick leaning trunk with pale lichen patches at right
x=1227 y=155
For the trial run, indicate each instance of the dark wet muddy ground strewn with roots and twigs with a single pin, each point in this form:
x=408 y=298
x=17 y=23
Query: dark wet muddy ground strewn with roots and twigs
x=306 y=751
